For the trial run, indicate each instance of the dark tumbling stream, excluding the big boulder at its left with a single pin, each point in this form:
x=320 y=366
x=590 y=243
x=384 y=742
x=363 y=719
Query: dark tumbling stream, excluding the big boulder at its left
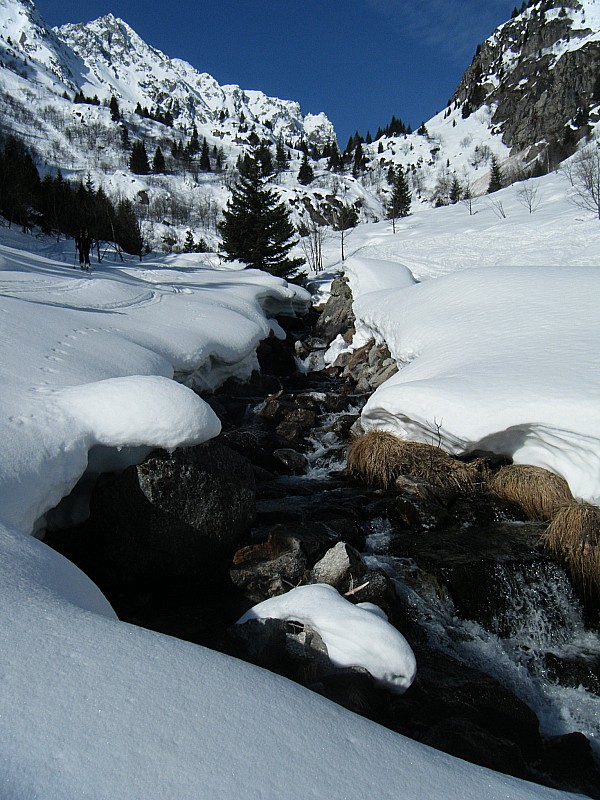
x=497 y=629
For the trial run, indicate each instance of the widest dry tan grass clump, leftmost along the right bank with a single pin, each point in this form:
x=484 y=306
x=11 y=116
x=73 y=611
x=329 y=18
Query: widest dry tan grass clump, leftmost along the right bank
x=380 y=458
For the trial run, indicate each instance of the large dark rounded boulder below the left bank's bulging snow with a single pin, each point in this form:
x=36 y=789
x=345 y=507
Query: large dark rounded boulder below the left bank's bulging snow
x=175 y=517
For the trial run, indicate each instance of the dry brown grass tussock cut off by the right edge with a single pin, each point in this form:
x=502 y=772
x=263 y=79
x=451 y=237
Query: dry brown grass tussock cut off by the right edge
x=573 y=536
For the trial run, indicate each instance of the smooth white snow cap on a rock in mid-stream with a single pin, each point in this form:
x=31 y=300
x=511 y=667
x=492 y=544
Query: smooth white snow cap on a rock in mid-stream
x=355 y=636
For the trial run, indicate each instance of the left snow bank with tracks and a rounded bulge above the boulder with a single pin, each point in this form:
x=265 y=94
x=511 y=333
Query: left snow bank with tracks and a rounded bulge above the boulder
x=86 y=363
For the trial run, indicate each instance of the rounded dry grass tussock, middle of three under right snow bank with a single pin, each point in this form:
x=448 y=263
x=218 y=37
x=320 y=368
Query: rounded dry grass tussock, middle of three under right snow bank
x=539 y=493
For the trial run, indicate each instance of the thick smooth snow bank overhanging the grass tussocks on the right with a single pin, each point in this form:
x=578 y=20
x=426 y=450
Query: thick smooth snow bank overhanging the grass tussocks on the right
x=503 y=359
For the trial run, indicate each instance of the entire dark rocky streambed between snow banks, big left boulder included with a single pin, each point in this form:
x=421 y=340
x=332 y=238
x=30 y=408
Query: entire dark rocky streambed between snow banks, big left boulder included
x=508 y=674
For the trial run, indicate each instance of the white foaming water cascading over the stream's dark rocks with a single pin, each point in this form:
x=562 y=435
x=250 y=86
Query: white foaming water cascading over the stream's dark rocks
x=537 y=645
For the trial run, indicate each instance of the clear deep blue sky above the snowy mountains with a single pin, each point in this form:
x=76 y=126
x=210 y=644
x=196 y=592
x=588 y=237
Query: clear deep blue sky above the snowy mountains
x=359 y=61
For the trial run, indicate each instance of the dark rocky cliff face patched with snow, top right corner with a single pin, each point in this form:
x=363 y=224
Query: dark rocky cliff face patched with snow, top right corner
x=539 y=74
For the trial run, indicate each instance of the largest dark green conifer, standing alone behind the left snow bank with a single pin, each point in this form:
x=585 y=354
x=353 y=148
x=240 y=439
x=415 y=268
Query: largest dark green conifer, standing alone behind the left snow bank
x=256 y=228
